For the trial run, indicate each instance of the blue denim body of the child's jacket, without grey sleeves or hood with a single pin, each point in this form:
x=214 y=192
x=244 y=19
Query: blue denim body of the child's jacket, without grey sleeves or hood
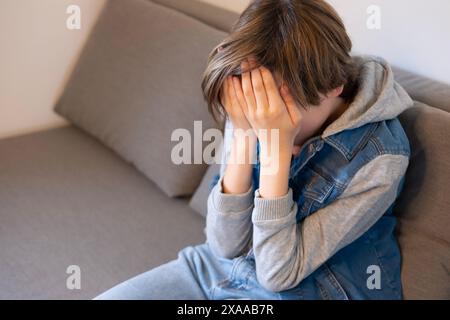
x=328 y=165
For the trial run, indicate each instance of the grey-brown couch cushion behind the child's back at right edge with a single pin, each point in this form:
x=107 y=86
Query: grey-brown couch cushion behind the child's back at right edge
x=424 y=205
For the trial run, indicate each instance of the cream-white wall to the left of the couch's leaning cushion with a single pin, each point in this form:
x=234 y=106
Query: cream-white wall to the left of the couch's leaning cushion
x=36 y=57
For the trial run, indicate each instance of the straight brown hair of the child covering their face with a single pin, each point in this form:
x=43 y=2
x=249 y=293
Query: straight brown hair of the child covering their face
x=304 y=40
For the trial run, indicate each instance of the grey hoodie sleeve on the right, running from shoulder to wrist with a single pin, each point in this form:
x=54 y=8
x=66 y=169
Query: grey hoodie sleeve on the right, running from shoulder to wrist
x=287 y=252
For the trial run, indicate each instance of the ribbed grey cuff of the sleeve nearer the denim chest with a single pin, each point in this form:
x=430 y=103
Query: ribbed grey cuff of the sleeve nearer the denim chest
x=272 y=209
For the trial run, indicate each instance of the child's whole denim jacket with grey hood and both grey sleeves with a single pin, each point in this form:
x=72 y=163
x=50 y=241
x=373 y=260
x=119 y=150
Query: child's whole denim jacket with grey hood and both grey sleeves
x=332 y=236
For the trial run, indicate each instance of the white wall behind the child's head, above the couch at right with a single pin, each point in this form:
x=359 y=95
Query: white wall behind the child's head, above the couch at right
x=414 y=34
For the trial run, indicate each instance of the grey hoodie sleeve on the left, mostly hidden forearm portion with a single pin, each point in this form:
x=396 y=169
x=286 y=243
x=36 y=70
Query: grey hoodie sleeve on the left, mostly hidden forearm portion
x=228 y=220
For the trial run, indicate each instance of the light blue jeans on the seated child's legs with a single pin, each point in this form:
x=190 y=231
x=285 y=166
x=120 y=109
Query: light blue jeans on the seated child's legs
x=197 y=274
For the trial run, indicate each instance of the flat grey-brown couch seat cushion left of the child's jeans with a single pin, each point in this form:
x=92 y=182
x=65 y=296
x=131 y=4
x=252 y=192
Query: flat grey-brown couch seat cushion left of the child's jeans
x=68 y=200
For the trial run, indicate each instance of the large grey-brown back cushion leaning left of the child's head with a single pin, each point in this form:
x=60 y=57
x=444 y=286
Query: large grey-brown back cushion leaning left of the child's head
x=137 y=80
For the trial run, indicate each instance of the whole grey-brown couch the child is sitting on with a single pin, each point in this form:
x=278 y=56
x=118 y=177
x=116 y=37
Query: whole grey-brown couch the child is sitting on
x=103 y=194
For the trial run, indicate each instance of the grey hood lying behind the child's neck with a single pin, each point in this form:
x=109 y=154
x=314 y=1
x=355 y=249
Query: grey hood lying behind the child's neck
x=378 y=97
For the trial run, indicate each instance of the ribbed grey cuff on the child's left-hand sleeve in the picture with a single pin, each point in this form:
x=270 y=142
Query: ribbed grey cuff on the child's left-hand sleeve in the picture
x=231 y=203
